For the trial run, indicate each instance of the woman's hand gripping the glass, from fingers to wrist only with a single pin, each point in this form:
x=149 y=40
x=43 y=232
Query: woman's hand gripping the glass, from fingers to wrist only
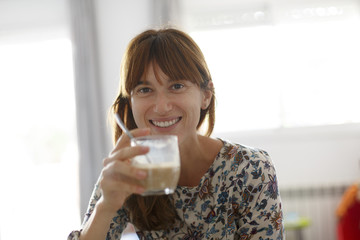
x=118 y=177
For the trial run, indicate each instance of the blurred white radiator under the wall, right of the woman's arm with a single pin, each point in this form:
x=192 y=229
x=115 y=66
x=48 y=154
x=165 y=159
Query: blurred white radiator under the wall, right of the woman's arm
x=318 y=203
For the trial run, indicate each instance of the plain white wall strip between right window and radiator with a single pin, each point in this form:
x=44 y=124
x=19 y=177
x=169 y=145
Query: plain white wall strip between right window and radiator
x=309 y=156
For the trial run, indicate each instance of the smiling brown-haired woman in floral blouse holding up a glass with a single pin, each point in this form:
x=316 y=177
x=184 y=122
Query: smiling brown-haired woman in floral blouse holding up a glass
x=225 y=191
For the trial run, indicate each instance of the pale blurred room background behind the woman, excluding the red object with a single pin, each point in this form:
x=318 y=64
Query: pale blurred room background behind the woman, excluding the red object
x=286 y=77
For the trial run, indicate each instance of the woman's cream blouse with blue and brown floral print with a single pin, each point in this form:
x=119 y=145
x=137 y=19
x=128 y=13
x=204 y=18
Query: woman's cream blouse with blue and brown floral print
x=238 y=198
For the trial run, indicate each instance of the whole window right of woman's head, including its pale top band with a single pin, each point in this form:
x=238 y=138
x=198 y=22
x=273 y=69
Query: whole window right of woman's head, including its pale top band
x=288 y=65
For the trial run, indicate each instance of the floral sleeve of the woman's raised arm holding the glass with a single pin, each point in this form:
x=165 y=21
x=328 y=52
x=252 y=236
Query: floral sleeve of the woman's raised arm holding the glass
x=117 y=224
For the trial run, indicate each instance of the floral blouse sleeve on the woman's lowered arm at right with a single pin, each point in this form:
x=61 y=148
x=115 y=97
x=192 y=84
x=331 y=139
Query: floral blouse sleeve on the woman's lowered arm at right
x=261 y=211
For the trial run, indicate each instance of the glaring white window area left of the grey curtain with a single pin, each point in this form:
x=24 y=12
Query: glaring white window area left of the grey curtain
x=39 y=159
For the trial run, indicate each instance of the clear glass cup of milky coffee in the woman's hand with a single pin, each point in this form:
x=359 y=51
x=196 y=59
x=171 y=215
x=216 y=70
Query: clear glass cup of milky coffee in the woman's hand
x=162 y=163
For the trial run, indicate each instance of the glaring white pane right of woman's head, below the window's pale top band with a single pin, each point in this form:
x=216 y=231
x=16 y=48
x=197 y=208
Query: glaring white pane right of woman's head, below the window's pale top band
x=284 y=75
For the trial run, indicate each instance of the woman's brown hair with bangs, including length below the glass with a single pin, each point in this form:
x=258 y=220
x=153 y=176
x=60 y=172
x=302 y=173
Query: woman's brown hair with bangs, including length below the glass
x=179 y=57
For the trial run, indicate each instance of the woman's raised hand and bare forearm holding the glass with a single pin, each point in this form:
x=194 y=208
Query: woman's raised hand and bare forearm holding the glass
x=116 y=184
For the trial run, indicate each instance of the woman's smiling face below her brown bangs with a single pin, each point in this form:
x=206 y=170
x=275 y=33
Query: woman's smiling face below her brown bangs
x=168 y=106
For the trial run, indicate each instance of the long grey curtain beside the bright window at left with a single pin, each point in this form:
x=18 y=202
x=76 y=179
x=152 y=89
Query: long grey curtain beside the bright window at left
x=91 y=128
